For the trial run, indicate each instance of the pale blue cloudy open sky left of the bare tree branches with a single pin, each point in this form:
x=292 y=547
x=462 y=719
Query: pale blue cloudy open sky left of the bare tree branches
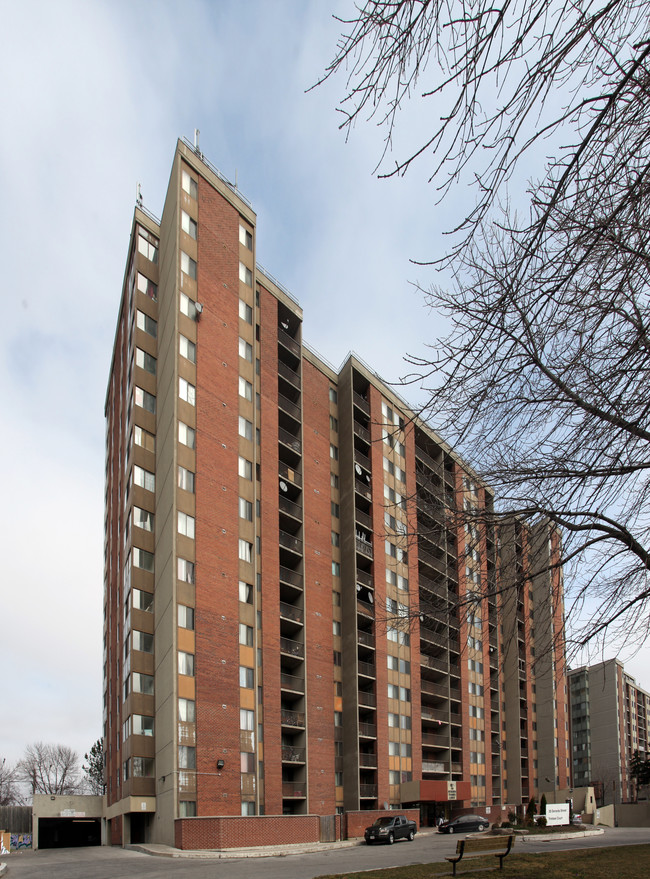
x=92 y=99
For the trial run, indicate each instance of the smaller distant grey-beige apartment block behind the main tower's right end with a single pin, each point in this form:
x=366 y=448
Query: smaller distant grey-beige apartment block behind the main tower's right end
x=609 y=723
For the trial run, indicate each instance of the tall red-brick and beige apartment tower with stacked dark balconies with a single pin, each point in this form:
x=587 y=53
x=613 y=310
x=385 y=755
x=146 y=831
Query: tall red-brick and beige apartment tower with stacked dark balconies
x=304 y=603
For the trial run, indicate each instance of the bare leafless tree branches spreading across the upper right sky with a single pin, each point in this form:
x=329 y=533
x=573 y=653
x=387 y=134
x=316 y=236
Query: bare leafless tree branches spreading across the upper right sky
x=543 y=380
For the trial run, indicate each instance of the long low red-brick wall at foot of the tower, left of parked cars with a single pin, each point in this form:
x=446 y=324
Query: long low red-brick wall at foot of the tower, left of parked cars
x=244 y=832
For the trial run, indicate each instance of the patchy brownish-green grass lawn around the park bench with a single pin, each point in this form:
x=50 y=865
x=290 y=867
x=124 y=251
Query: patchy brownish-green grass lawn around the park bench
x=618 y=862
